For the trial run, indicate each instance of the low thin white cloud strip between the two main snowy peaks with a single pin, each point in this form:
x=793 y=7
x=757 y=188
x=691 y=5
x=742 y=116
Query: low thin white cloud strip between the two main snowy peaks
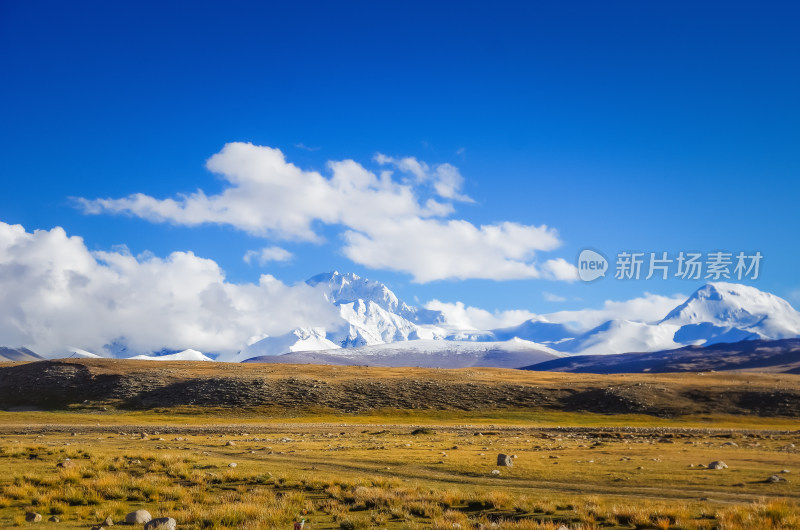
x=647 y=308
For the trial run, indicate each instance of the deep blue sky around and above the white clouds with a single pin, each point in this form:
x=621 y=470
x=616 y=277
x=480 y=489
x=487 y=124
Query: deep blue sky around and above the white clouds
x=621 y=125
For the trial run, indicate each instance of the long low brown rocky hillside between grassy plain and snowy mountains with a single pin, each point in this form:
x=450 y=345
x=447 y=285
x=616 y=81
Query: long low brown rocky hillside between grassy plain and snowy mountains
x=140 y=384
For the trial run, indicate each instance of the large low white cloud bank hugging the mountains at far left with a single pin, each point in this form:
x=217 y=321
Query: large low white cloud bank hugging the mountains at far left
x=55 y=293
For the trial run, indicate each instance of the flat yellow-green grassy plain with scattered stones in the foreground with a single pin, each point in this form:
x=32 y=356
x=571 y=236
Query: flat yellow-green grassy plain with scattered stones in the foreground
x=388 y=468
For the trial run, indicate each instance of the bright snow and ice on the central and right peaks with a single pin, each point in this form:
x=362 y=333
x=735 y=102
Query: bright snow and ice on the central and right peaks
x=372 y=315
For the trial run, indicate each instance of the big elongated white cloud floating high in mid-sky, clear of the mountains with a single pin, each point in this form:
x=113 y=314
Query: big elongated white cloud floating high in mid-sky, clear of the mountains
x=387 y=224
